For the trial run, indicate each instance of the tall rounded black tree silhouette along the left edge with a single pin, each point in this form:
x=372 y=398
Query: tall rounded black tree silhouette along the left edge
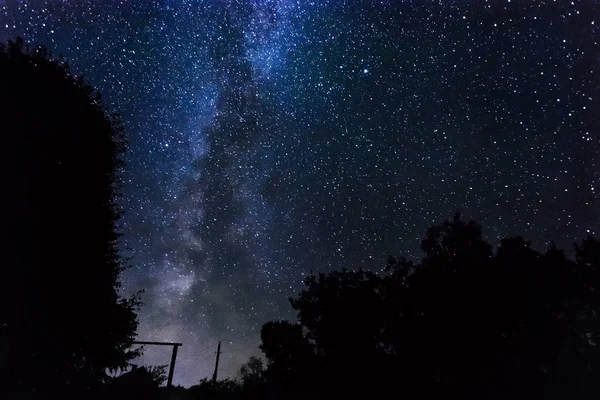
x=62 y=322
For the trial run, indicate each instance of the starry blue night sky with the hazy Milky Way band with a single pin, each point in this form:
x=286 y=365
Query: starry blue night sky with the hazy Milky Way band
x=271 y=138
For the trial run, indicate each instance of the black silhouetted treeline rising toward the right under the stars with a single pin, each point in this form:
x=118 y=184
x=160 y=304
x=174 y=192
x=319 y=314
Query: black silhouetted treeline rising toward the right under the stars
x=465 y=322
